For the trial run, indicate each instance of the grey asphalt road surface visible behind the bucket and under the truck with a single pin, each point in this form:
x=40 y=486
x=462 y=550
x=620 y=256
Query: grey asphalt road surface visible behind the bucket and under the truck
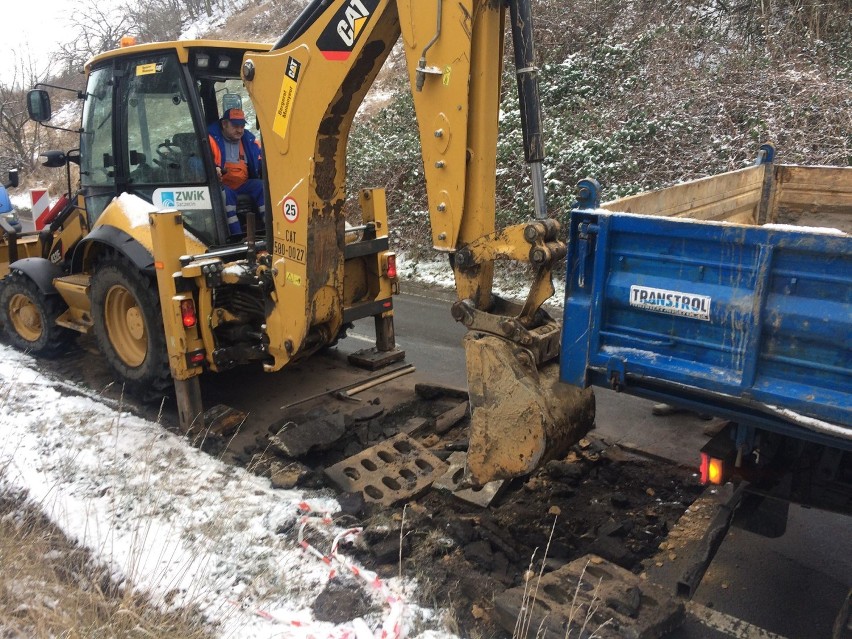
x=792 y=586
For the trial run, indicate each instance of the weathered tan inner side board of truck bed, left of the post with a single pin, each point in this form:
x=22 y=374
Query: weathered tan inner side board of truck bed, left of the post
x=732 y=196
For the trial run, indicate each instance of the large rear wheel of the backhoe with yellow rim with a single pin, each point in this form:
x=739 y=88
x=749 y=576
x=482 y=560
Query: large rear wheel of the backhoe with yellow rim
x=129 y=327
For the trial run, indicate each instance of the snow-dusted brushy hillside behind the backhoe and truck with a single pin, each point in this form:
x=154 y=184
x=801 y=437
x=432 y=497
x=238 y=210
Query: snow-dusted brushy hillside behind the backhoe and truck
x=636 y=94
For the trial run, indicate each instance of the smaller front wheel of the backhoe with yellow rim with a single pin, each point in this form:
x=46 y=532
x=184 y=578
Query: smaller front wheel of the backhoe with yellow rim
x=29 y=316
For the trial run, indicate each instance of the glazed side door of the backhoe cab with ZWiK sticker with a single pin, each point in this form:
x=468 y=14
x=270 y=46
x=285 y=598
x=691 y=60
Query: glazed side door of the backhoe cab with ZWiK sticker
x=158 y=147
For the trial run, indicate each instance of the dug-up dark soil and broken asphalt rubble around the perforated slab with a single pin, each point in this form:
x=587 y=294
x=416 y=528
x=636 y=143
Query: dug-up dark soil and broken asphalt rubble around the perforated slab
x=598 y=499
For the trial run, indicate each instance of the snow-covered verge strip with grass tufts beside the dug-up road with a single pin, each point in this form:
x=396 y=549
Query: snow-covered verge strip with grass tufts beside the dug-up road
x=182 y=525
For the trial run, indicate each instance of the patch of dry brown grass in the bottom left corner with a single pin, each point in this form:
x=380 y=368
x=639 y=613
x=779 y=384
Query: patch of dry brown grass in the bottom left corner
x=50 y=587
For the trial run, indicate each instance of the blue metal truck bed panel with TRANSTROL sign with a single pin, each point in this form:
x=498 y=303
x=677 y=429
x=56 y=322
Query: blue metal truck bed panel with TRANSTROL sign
x=745 y=322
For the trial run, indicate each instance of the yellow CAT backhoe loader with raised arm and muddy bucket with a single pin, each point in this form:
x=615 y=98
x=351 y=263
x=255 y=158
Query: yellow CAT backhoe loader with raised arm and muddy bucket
x=169 y=294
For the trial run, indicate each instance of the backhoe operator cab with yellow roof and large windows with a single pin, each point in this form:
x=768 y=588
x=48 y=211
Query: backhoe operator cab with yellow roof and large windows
x=145 y=119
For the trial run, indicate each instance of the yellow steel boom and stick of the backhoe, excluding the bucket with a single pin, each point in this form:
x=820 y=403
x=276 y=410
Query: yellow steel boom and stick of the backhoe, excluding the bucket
x=306 y=100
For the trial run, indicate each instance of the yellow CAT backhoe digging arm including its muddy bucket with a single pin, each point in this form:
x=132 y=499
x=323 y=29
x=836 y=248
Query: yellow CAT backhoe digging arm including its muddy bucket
x=306 y=91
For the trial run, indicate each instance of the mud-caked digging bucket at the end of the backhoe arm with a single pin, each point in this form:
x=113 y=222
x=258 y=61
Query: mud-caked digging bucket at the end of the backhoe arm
x=521 y=416
